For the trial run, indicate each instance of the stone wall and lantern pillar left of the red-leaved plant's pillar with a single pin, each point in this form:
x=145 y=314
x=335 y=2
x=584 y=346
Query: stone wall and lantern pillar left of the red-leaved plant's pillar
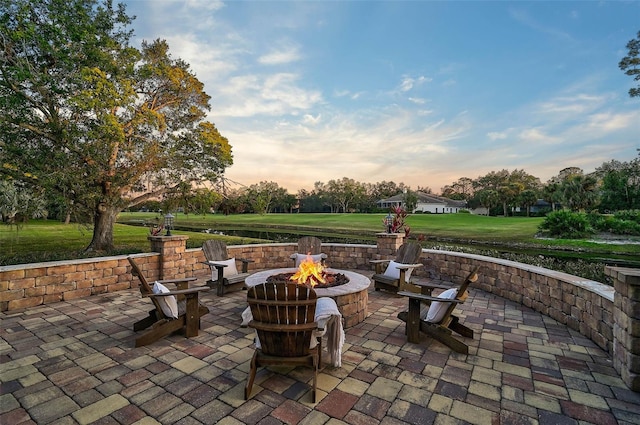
x=30 y=285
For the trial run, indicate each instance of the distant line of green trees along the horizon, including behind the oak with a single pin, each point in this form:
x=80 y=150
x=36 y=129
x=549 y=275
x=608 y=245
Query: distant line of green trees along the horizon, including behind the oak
x=614 y=186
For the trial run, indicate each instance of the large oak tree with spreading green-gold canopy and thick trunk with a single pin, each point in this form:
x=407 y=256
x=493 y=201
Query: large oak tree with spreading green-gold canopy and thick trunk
x=86 y=115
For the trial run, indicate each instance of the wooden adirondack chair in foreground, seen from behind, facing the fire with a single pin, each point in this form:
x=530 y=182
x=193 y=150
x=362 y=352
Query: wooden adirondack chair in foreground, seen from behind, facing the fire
x=283 y=317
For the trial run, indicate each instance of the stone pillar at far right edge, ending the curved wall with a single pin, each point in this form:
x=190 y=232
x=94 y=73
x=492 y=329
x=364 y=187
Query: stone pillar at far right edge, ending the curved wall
x=626 y=328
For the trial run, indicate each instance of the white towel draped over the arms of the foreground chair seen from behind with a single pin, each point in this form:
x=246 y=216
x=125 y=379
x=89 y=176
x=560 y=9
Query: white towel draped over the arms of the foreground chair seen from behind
x=329 y=322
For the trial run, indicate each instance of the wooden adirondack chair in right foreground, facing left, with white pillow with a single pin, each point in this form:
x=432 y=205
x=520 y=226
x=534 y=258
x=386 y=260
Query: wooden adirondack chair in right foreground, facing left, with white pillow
x=438 y=321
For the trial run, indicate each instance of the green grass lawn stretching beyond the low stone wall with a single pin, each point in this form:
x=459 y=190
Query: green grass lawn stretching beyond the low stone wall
x=44 y=240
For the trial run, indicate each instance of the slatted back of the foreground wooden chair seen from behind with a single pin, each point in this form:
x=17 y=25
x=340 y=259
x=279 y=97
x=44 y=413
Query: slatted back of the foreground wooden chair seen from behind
x=284 y=317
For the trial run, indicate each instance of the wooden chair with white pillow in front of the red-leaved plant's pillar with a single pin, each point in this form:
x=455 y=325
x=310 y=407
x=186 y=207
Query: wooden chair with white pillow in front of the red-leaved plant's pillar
x=398 y=271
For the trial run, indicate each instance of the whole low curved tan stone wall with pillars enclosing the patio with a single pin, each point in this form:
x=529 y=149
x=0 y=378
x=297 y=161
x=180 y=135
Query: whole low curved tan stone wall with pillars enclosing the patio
x=607 y=315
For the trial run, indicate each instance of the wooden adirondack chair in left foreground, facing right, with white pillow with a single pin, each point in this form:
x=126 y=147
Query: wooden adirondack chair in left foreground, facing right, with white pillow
x=189 y=309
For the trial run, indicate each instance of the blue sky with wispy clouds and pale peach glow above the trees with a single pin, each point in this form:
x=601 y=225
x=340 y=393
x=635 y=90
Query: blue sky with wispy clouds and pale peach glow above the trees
x=415 y=92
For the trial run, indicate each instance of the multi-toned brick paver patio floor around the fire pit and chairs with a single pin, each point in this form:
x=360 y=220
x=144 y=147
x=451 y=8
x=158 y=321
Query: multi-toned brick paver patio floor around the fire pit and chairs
x=74 y=363
